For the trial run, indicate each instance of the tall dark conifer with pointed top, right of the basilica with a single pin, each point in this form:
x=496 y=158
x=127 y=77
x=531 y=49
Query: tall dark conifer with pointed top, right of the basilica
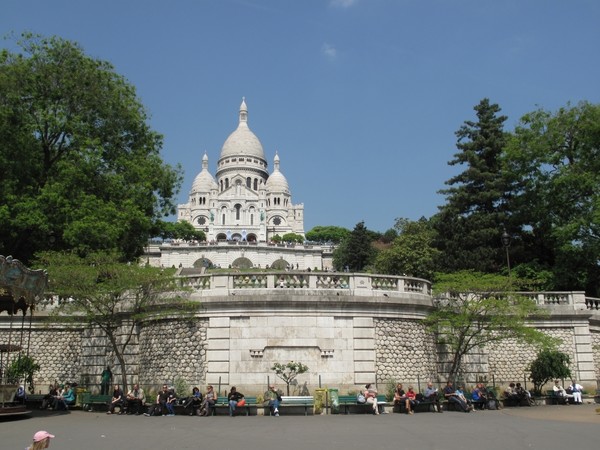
x=469 y=225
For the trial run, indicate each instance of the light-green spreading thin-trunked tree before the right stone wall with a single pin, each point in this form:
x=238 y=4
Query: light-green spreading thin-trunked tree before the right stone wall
x=475 y=309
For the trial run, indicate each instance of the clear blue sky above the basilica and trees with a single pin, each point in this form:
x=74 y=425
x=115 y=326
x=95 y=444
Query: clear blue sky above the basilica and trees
x=360 y=98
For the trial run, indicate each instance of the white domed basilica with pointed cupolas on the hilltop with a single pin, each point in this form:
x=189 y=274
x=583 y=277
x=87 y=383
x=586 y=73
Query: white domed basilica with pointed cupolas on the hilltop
x=244 y=202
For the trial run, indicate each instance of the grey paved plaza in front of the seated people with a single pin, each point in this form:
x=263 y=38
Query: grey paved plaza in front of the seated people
x=539 y=427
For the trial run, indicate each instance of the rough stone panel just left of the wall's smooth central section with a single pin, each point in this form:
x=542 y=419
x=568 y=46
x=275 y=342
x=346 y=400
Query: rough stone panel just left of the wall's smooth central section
x=171 y=350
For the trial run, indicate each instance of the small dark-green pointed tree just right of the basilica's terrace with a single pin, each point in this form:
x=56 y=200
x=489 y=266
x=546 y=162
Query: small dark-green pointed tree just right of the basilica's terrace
x=356 y=251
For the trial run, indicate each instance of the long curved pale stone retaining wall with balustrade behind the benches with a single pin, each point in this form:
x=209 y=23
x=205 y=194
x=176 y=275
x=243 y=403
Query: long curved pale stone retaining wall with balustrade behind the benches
x=349 y=329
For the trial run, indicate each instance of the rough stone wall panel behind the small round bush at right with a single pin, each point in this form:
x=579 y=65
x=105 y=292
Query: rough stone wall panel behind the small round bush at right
x=509 y=360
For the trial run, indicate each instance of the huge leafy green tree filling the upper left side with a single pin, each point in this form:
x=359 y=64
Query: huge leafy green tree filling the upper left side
x=81 y=166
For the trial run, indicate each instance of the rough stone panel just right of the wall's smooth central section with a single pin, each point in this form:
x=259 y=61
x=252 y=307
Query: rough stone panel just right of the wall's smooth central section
x=405 y=351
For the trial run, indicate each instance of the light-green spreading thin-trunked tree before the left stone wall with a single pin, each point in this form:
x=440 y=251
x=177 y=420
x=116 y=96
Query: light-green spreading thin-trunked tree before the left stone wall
x=115 y=297
